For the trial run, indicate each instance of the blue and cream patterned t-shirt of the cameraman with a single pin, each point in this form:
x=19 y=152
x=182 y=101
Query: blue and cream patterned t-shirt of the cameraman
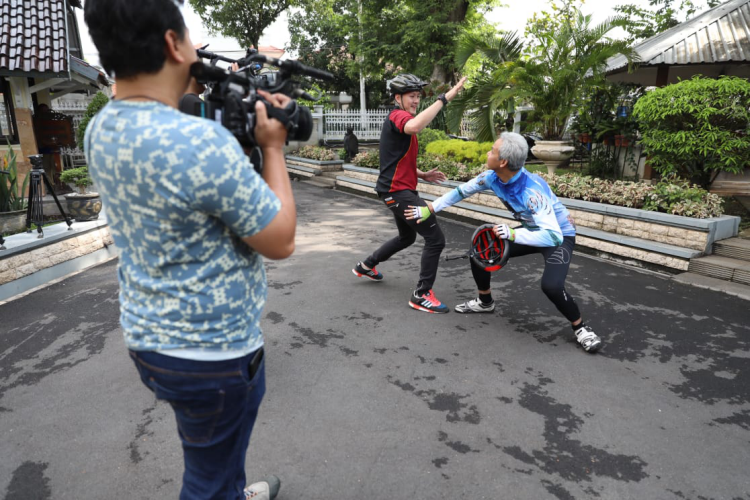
x=179 y=194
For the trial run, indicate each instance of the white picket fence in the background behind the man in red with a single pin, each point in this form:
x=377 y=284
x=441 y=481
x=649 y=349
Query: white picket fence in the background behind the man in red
x=367 y=127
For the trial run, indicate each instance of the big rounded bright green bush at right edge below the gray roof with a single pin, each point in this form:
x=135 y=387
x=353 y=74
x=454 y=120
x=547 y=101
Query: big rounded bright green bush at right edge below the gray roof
x=696 y=127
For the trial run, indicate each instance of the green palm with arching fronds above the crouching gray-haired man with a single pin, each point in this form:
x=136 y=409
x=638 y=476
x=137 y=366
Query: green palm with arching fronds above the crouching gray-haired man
x=568 y=59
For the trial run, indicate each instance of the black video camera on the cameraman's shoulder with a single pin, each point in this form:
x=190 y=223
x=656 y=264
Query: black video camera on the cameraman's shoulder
x=233 y=94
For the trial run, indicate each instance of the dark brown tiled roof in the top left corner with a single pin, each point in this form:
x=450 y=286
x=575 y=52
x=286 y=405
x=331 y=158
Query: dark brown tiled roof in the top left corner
x=33 y=37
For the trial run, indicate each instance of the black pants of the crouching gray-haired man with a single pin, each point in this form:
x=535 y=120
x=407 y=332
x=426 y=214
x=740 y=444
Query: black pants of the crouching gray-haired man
x=556 y=265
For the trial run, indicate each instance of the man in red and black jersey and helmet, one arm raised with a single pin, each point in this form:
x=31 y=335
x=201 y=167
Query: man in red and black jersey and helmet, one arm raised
x=397 y=187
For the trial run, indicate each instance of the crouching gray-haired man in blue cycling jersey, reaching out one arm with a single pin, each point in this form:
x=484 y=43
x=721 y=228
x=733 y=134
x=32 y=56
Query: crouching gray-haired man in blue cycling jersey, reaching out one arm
x=546 y=228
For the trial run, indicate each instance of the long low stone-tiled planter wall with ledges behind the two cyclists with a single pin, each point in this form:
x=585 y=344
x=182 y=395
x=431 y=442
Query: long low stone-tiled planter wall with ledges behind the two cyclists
x=648 y=239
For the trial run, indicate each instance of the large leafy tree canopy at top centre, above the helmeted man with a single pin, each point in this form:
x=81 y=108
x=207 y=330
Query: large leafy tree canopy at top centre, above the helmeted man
x=417 y=36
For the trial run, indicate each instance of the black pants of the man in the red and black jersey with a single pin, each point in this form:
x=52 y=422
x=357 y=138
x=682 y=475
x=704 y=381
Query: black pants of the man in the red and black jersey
x=434 y=240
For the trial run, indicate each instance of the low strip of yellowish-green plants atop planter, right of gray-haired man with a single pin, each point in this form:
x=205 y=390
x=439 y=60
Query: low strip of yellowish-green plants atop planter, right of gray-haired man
x=672 y=195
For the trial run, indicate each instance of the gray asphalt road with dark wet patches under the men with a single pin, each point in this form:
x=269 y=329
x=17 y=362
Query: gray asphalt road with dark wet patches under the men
x=369 y=399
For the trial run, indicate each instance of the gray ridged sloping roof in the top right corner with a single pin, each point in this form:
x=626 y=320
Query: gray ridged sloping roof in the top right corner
x=719 y=35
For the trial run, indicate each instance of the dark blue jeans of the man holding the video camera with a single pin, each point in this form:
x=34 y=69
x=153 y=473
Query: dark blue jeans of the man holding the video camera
x=215 y=404
